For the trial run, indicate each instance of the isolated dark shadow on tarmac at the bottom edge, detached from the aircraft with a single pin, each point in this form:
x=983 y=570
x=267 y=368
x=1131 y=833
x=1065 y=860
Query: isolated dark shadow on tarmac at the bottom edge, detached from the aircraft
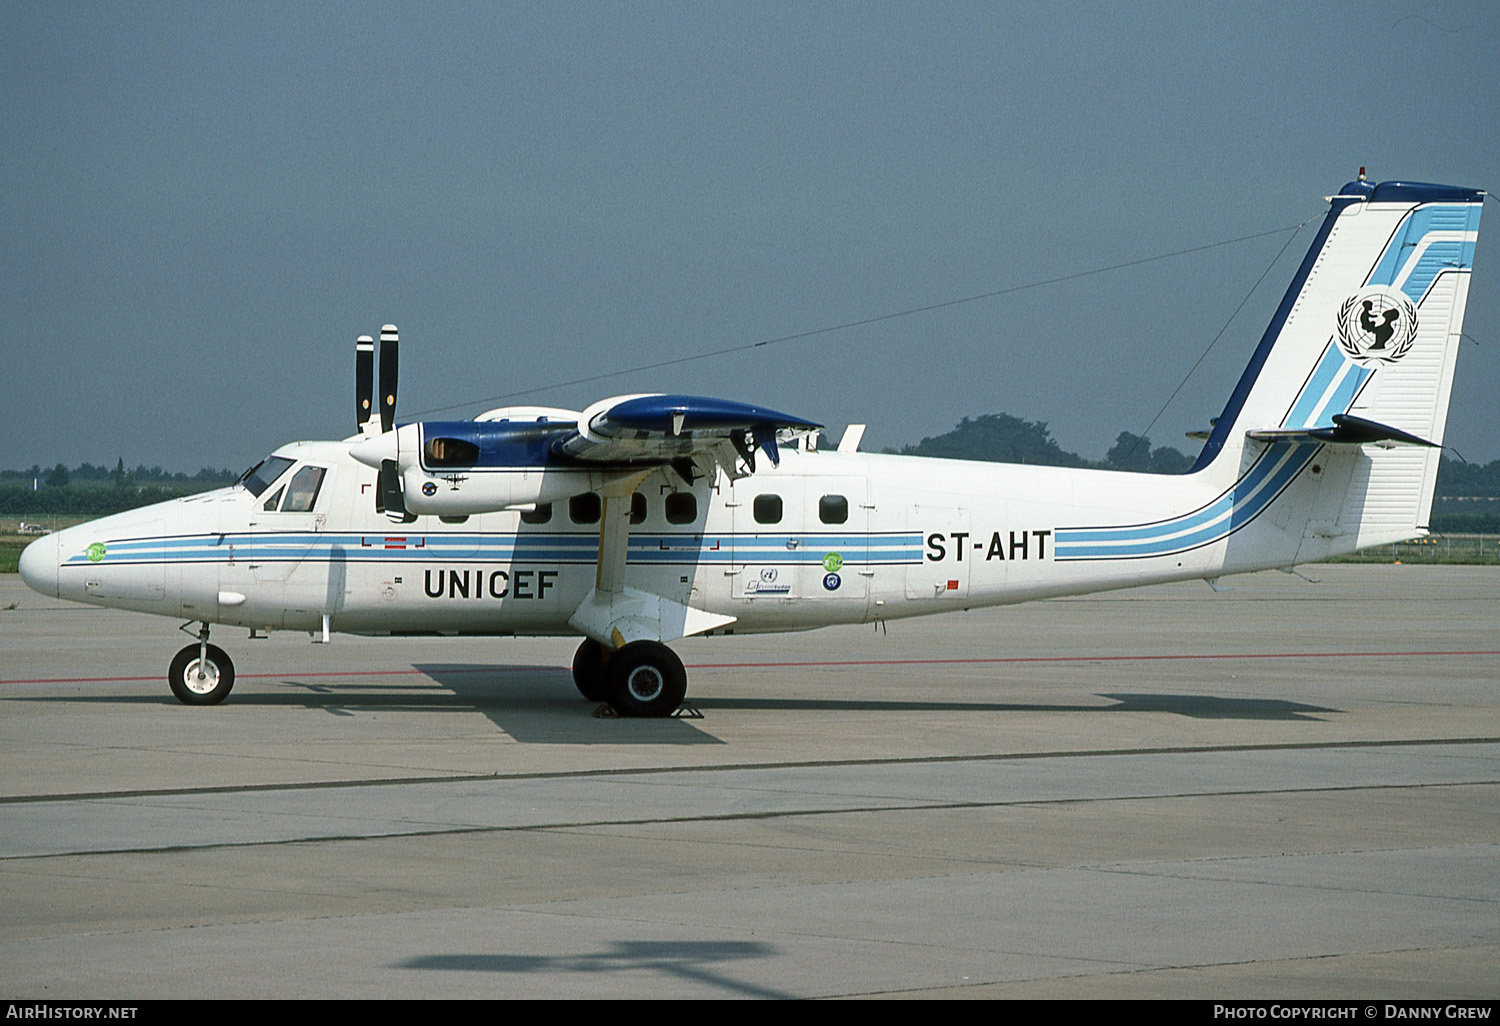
x=689 y=961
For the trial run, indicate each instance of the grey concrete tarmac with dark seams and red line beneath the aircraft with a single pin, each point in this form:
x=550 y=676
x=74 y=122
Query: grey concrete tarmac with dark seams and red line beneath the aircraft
x=1277 y=791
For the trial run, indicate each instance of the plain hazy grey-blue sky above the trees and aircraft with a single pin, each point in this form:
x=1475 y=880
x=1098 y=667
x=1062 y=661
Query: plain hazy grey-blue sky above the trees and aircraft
x=205 y=205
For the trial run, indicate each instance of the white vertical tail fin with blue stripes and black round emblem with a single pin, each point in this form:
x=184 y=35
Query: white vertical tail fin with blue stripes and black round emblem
x=1360 y=359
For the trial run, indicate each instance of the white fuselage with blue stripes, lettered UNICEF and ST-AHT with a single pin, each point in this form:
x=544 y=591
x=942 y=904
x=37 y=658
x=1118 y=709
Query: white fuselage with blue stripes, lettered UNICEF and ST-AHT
x=824 y=539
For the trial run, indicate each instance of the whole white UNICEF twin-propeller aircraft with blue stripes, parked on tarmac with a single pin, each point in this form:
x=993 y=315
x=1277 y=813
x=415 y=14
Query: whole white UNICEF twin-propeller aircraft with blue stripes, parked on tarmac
x=646 y=520
